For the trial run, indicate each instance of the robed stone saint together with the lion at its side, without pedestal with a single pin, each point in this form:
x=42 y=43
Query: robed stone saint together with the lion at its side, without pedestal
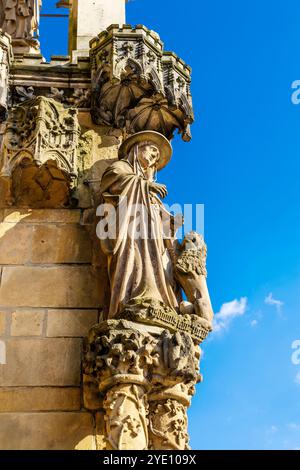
x=146 y=264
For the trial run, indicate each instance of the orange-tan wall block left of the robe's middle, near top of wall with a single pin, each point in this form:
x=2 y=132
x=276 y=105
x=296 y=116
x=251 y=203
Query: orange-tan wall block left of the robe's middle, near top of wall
x=60 y=244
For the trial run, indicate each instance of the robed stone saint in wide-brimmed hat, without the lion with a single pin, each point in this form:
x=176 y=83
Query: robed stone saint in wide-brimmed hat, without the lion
x=139 y=254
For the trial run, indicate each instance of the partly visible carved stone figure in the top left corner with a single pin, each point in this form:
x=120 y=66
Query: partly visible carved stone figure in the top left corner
x=19 y=18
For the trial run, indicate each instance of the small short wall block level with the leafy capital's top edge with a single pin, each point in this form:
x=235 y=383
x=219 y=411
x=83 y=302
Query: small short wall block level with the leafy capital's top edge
x=73 y=323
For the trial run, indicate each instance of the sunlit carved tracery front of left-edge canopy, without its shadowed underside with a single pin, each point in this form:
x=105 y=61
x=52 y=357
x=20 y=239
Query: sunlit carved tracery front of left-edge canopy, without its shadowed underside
x=40 y=130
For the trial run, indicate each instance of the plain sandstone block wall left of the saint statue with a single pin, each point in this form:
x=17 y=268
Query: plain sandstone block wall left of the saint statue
x=49 y=299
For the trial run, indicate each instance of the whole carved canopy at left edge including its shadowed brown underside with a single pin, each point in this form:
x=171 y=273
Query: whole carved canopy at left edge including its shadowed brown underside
x=39 y=153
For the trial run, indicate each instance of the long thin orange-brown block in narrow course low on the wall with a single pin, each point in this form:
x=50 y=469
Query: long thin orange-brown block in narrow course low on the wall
x=39 y=399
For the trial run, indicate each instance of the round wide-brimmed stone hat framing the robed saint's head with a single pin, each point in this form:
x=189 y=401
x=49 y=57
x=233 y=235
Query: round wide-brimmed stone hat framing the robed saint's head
x=156 y=138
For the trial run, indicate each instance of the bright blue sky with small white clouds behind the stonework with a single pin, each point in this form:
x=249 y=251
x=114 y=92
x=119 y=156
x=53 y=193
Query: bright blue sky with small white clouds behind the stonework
x=244 y=165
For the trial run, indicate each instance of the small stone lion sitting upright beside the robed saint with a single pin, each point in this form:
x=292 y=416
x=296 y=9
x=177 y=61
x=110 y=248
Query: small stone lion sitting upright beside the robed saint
x=190 y=272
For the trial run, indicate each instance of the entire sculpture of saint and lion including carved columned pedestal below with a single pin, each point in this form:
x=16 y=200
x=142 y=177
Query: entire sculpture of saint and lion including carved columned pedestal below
x=144 y=357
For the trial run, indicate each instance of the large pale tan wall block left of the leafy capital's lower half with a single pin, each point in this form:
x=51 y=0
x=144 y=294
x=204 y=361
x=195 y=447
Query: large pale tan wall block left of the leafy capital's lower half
x=41 y=362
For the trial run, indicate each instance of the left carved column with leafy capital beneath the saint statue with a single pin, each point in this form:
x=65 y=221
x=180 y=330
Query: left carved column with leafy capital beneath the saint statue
x=118 y=359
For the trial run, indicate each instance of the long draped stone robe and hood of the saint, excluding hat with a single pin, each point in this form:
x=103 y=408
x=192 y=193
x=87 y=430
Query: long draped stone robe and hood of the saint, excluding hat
x=138 y=268
